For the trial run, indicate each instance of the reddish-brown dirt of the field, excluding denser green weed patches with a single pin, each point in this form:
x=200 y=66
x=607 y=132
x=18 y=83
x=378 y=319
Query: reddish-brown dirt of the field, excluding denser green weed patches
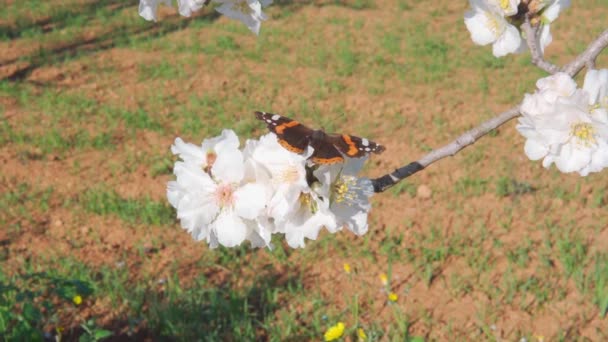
x=466 y=262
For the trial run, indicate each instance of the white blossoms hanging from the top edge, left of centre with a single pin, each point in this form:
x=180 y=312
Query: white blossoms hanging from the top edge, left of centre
x=248 y=12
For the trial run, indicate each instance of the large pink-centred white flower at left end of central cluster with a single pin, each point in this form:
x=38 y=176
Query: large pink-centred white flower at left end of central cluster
x=213 y=202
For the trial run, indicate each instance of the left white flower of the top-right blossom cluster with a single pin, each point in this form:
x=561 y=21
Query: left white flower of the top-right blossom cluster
x=487 y=24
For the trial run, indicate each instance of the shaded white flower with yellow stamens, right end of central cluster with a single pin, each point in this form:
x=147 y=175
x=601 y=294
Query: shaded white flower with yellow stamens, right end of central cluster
x=348 y=194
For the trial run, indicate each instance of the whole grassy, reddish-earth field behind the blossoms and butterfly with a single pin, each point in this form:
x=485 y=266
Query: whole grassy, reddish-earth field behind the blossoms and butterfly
x=485 y=245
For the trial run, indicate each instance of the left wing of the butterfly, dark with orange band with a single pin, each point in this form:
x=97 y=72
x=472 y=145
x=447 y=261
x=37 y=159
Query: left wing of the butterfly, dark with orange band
x=291 y=134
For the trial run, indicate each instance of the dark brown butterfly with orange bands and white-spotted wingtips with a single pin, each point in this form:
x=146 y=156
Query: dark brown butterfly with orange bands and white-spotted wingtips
x=328 y=148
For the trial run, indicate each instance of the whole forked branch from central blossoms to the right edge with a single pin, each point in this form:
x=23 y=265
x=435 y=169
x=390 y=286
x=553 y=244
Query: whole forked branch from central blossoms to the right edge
x=587 y=58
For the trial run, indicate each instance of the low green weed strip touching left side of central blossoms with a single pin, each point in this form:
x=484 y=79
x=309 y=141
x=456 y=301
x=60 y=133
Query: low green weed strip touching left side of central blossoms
x=144 y=210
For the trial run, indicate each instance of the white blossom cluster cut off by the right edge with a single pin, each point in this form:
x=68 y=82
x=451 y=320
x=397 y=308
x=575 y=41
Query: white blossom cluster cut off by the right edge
x=567 y=125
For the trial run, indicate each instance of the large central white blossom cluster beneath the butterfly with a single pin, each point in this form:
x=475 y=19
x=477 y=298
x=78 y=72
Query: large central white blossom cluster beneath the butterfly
x=225 y=195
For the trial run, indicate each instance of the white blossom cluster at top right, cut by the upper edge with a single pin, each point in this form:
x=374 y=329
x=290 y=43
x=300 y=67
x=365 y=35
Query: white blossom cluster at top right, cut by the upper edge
x=498 y=22
